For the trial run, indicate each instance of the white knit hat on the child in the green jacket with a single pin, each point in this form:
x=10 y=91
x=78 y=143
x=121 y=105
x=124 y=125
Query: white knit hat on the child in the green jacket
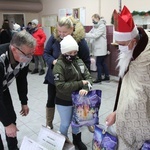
x=68 y=44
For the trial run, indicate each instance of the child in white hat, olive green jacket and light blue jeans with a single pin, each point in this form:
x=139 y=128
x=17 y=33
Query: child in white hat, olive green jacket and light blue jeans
x=70 y=74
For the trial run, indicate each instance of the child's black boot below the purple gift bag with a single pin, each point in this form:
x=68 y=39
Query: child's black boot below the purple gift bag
x=78 y=142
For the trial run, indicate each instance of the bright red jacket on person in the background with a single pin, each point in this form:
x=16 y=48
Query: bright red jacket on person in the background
x=40 y=37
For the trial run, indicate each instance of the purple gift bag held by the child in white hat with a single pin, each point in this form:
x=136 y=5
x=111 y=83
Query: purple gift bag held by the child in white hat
x=86 y=108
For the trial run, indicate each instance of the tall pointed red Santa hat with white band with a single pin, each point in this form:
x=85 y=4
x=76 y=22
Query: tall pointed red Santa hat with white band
x=125 y=28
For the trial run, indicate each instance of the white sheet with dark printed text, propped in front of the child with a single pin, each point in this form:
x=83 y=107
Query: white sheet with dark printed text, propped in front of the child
x=50 y=139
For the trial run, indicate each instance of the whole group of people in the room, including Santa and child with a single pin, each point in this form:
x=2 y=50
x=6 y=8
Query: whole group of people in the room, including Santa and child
x=67 y=51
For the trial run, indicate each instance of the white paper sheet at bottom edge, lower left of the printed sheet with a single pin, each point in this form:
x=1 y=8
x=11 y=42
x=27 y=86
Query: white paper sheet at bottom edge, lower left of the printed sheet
x=28 y=144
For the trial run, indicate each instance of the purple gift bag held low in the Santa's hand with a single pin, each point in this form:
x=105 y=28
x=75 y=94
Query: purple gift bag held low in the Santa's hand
x=104 y=138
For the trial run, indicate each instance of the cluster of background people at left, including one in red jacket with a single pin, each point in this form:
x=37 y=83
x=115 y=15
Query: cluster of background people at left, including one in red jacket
x=35 y=29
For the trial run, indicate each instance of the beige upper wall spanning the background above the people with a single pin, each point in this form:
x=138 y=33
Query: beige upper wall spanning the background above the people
x=102 y=7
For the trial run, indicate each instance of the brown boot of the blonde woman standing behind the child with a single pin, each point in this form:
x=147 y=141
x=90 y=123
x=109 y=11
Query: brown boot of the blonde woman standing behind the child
x=50 y=116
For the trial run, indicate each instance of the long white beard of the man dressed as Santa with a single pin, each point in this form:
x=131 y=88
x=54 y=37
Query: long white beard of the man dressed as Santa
x=124 y=59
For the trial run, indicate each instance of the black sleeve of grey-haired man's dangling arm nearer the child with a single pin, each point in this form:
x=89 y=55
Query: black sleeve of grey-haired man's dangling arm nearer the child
x=22 y=85
